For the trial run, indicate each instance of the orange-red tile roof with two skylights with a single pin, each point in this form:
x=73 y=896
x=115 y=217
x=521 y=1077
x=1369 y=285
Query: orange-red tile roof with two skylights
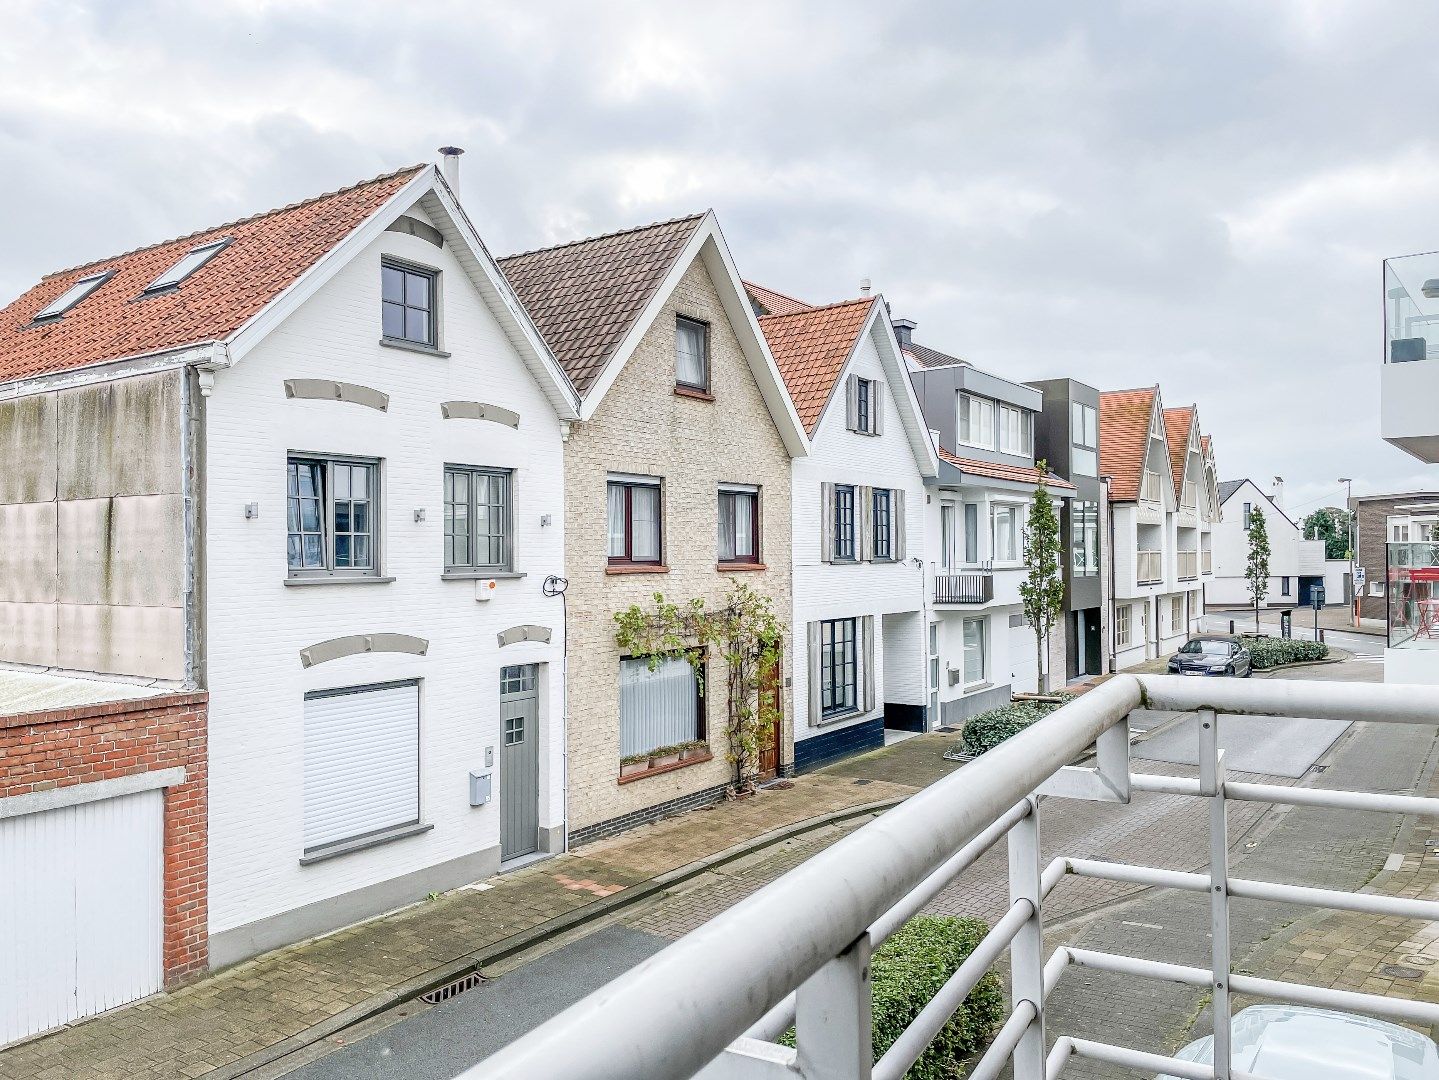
x=267 y=254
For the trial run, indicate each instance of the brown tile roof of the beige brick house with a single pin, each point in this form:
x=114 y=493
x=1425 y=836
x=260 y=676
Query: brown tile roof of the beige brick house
x=585 y=296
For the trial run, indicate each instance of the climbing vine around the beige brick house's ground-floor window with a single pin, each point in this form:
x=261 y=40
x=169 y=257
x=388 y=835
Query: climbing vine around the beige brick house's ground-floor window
x=746 y=635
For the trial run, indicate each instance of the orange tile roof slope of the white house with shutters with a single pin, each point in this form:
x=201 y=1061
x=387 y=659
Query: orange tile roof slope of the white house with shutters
x=811 y=349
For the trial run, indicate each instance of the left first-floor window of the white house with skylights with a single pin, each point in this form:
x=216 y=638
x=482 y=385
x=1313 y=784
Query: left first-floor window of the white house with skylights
x=333 y=517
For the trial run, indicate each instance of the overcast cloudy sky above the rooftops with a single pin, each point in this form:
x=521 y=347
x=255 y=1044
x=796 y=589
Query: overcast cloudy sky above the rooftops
x=1195 y=195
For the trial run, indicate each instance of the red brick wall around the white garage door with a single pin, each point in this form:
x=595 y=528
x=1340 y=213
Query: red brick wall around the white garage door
x=41 y=751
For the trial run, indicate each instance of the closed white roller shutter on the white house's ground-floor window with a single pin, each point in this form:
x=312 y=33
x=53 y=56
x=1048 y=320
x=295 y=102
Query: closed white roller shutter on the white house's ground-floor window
x=362 y=763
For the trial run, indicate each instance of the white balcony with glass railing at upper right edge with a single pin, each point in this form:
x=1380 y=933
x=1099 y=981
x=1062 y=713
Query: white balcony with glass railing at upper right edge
x=1410 y=382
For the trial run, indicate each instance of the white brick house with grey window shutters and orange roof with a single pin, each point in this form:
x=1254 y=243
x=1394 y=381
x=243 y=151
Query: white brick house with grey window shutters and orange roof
x=861 y=609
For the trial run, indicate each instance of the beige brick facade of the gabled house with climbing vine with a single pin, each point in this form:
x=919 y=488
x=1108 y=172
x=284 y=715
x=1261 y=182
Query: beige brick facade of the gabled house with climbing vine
x=644 y=428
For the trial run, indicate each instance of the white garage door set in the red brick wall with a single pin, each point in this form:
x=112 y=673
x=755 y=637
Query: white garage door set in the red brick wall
x=81 y=911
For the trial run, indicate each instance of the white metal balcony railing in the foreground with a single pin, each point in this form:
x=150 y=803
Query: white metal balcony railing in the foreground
x=796 y=954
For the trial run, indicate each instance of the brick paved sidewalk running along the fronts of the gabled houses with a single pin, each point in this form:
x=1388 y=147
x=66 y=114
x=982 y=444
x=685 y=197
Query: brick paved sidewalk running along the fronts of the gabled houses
x=257 y=1006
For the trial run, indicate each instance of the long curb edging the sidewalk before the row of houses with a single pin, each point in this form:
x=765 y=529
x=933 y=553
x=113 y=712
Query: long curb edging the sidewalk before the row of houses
x=509 y=947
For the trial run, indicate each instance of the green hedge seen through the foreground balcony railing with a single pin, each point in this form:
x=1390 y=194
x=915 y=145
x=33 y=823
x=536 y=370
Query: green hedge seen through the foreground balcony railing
x=909 y=970
